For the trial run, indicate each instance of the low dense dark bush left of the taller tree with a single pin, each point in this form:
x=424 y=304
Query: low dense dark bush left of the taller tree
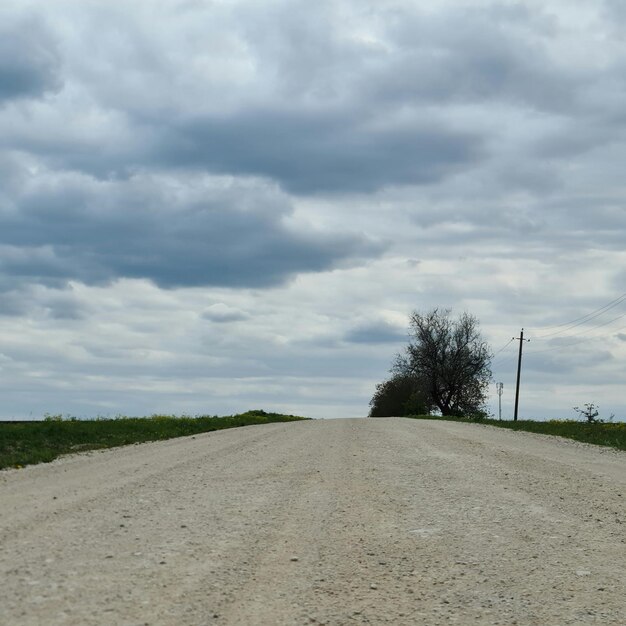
x=400 y=395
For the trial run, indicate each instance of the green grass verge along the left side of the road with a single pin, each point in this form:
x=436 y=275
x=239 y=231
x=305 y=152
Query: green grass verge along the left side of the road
x=25 y=443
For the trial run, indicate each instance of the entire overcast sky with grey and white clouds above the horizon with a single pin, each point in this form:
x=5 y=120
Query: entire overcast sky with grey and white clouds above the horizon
x=208 y=206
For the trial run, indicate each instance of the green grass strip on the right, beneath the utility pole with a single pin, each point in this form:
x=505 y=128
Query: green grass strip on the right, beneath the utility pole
x=612 y=434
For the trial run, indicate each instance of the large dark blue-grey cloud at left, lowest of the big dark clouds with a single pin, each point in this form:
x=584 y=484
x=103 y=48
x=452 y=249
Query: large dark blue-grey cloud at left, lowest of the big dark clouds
x=231 y=236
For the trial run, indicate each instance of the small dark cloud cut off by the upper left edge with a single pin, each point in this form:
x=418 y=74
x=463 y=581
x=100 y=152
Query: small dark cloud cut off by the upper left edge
x=29 y=60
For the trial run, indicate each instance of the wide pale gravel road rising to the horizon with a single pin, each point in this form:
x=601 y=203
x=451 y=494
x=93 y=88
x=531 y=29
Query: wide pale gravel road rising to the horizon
x=387 y=521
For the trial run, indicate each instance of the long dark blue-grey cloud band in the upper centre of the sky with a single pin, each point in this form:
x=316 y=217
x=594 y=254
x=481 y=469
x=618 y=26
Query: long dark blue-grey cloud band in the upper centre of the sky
x=320 y=152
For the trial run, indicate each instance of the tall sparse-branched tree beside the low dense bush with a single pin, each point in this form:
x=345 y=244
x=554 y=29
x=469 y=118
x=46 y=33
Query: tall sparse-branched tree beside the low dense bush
x=448 y=360
